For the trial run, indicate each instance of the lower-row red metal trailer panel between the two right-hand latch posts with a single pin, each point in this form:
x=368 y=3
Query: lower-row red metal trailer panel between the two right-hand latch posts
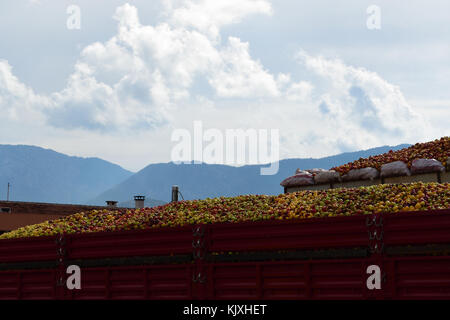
x=287 y=280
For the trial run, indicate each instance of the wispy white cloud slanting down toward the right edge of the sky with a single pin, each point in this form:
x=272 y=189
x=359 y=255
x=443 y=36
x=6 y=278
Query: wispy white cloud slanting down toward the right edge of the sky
x=357 y=92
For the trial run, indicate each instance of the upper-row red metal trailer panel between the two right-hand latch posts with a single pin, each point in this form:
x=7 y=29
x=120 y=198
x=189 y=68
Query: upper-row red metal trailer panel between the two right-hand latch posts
x=314 y=233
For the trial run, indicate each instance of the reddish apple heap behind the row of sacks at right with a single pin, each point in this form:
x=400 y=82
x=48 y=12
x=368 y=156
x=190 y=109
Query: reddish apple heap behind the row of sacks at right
x=438 y=149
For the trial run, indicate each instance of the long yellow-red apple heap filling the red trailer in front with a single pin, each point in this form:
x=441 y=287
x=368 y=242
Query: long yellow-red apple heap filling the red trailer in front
x=299 y=205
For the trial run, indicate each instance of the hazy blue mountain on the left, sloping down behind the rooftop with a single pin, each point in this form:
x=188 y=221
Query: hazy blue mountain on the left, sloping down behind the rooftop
x=43 y=175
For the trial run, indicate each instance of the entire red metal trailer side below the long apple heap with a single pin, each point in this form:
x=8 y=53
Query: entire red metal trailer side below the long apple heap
x=322 y=258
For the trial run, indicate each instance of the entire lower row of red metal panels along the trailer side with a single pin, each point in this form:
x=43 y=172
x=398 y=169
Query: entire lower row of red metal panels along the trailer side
x=407 y=278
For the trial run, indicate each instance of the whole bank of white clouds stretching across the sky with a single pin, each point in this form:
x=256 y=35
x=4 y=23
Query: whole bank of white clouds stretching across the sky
x=144 y=78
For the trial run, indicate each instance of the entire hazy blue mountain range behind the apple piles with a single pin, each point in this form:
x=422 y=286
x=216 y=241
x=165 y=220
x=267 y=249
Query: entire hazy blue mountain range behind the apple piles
x=43 y=175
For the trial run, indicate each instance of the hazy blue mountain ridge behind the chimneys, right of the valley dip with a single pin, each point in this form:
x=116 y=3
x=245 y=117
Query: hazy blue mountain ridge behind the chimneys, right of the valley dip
x=198 y=181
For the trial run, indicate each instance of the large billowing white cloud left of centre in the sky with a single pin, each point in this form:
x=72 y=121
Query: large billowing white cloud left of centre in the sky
x=139 y=75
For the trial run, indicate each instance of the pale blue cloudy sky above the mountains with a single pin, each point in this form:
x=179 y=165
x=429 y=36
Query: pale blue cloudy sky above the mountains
x=114 y=79
